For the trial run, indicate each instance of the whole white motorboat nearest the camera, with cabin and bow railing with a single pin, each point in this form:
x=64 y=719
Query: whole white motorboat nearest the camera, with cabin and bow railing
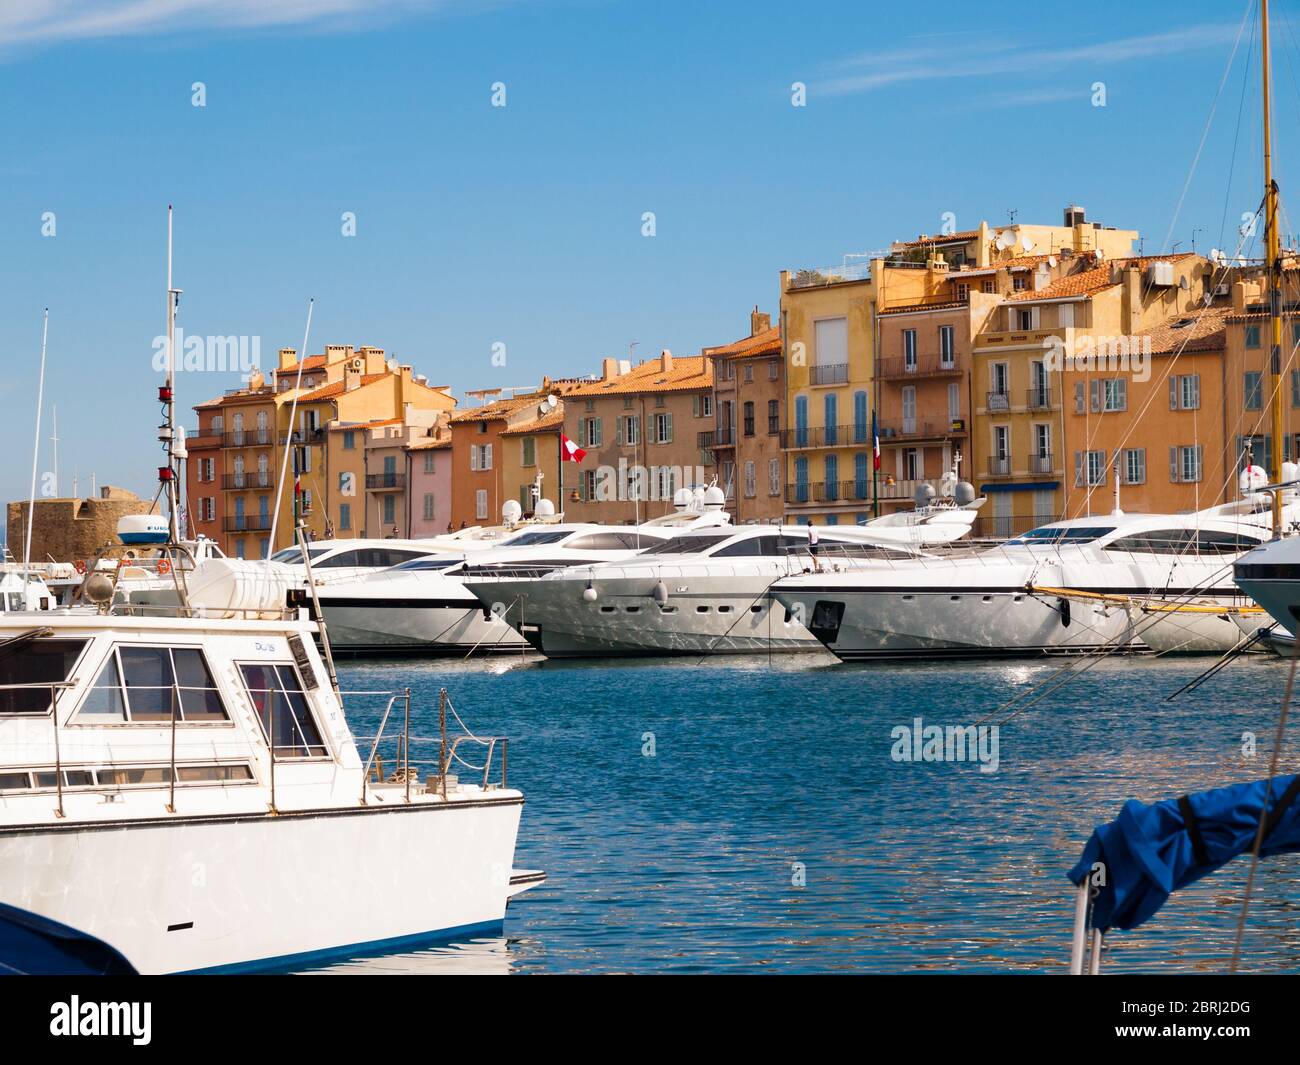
x=188 y=791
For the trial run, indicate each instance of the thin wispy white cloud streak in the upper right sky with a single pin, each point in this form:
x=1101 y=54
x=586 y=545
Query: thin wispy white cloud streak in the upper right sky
x=865 y=73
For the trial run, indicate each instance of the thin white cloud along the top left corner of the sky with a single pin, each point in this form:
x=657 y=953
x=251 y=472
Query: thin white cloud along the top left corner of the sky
x=28 y=23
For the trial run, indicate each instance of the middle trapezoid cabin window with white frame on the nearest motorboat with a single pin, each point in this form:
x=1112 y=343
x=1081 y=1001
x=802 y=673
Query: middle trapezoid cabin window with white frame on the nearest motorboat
x=148 y=685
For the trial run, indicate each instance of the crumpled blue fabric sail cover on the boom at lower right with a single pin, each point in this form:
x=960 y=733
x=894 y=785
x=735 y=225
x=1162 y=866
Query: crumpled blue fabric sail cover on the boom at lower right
x=1151 y=852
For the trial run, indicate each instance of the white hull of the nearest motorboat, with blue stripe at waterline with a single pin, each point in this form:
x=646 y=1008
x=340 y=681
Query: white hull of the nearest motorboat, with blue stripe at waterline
x=261 y=891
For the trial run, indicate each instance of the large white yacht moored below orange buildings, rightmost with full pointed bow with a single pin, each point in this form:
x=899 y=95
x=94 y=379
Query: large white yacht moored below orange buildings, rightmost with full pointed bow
x=1067 y=588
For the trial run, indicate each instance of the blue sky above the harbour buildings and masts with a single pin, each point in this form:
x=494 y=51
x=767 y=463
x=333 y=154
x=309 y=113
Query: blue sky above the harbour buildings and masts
x=522 y=226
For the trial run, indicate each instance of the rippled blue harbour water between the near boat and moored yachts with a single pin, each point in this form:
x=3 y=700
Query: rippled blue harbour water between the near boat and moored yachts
x=684 y=863
